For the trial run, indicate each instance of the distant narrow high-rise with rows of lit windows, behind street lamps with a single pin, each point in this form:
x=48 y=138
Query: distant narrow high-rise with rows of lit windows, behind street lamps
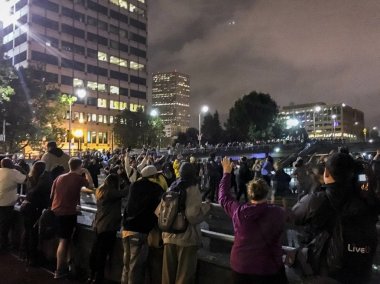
x=171 y=97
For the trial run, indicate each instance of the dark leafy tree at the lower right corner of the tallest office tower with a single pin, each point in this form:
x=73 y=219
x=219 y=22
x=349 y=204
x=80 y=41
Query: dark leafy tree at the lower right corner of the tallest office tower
x=132 y=128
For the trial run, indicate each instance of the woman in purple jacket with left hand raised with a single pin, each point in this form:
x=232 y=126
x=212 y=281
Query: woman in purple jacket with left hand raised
x=256 y=255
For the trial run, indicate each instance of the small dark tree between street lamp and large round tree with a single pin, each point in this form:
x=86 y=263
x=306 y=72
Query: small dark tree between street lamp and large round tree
x=212 y=132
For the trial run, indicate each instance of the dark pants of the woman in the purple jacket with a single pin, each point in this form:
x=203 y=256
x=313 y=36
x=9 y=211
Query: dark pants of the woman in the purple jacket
x=278 y=278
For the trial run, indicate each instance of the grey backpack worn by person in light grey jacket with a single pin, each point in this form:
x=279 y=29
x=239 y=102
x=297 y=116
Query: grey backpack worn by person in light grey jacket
x=171 y=218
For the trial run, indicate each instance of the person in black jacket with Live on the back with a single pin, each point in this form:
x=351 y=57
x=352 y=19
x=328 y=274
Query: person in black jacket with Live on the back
x=317 y=212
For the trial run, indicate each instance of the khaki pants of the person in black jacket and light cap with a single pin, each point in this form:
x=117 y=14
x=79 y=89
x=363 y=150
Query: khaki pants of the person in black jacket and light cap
x=135 y=258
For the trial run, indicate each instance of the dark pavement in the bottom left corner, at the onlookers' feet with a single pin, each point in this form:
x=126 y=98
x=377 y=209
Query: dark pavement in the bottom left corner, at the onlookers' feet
x=14 y=271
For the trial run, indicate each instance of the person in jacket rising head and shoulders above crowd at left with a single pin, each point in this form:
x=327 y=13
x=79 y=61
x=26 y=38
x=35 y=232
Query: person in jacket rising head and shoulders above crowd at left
x=55 y=157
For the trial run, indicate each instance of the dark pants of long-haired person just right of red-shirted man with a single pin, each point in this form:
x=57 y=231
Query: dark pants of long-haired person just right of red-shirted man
x=102 y=247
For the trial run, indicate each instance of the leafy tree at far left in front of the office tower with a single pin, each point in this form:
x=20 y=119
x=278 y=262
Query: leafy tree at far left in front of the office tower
x=32 y=112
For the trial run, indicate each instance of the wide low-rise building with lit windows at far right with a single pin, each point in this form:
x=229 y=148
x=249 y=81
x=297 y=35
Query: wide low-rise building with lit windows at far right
x=323 y=121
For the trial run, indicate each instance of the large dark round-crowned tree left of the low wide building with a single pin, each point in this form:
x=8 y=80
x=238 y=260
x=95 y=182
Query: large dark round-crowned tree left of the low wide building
x=252 y=117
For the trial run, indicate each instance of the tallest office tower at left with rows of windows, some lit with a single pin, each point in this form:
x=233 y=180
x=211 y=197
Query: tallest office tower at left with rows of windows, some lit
x=96 y=46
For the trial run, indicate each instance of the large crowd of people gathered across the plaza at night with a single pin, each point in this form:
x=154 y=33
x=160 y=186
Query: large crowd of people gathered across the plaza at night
x=330 y=191
